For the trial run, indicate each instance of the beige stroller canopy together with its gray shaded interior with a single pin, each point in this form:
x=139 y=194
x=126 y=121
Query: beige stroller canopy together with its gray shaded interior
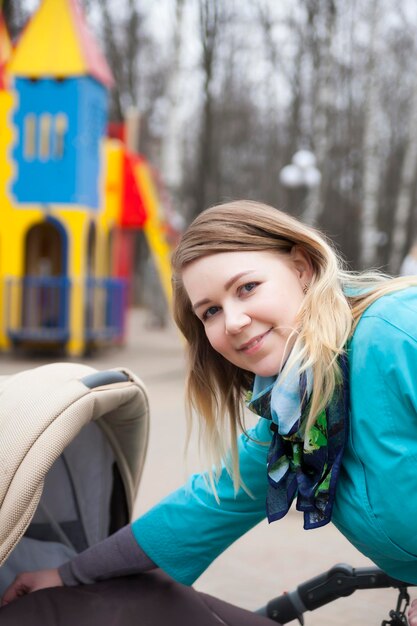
x=73 y=442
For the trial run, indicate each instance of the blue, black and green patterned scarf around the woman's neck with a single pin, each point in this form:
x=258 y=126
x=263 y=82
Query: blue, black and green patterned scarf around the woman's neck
x=306 y=469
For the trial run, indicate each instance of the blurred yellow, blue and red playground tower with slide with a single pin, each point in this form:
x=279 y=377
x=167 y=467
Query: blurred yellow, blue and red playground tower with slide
x=70 y=196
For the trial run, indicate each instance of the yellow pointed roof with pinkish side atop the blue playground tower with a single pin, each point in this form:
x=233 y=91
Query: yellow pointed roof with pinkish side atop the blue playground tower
x=57 y=42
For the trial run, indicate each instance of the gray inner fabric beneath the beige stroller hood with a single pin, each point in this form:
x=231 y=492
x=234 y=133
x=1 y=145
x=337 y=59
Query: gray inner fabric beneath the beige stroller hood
x=74 y=509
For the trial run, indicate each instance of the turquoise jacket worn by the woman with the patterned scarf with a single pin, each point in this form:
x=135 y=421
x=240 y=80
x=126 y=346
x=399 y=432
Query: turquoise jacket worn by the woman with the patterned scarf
x=376 y=499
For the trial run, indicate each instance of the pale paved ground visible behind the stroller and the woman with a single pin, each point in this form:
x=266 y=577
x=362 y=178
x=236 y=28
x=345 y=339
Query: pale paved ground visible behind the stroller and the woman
x=269 y=559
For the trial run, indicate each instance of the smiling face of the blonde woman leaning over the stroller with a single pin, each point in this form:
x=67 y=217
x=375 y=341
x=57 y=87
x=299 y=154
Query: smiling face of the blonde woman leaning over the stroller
x=248 y=303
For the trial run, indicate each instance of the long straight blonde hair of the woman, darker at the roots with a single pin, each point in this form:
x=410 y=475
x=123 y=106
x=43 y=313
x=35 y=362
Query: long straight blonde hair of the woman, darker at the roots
x=326 y=319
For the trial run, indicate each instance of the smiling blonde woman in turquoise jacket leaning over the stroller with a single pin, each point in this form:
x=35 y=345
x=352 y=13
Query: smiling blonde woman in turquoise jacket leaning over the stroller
x=326 y=358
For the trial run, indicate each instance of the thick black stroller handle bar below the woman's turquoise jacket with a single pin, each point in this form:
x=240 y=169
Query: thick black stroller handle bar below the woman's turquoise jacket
x=341 y=580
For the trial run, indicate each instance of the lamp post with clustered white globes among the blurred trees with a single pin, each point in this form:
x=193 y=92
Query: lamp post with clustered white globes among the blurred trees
x=303 y=174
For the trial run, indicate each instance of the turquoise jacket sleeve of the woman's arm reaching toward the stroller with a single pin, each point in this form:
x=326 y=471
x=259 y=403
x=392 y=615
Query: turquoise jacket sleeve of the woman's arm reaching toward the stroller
x=187 y=530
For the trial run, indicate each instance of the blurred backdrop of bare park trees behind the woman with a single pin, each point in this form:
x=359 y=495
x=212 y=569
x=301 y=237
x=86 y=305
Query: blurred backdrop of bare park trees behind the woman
x=229 y=91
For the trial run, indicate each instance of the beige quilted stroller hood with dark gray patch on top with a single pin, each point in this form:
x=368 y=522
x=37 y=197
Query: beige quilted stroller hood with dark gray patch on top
x=42 y=410
